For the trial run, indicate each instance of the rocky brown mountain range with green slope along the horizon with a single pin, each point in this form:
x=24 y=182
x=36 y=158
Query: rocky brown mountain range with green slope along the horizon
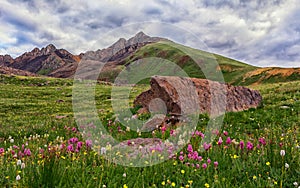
x=53 y=62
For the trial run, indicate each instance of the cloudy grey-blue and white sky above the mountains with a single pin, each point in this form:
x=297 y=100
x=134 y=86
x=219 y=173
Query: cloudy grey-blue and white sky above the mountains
x=258 y=32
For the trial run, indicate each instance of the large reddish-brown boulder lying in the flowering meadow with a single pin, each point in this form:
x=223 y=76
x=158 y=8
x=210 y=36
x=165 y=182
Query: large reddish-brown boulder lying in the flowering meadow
x=213 y=97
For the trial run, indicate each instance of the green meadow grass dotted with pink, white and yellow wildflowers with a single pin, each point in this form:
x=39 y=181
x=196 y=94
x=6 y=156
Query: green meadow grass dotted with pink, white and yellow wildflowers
x=37 y=112
